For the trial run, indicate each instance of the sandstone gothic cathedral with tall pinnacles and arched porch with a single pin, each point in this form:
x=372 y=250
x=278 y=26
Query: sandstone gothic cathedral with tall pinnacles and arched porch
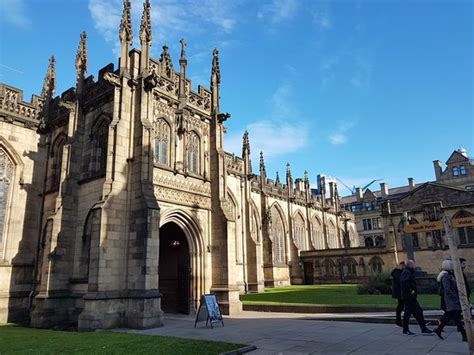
x=118 y=201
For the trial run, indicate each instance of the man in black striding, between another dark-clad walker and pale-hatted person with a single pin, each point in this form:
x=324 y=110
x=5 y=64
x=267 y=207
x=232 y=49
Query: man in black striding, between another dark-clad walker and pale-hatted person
x=409 y=296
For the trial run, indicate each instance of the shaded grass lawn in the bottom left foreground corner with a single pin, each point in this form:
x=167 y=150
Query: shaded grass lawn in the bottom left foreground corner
x=21 y=340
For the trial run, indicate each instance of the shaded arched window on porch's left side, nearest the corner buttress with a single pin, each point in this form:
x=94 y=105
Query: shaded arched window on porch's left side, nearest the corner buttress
x=99 y=136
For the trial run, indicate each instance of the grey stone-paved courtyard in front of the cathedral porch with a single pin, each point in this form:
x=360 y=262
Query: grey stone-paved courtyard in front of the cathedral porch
x=282 y=333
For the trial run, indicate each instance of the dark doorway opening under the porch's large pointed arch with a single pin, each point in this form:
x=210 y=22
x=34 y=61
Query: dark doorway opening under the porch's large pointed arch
x=174 y=269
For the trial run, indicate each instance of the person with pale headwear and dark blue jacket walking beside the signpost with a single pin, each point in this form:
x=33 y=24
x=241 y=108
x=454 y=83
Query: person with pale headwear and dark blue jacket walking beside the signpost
x=451 y=301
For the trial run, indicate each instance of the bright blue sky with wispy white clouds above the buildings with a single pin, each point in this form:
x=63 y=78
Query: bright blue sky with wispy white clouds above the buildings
x=360 y=90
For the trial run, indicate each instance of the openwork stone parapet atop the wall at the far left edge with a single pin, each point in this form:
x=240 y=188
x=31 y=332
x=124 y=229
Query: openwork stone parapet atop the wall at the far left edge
x=14 y=110
